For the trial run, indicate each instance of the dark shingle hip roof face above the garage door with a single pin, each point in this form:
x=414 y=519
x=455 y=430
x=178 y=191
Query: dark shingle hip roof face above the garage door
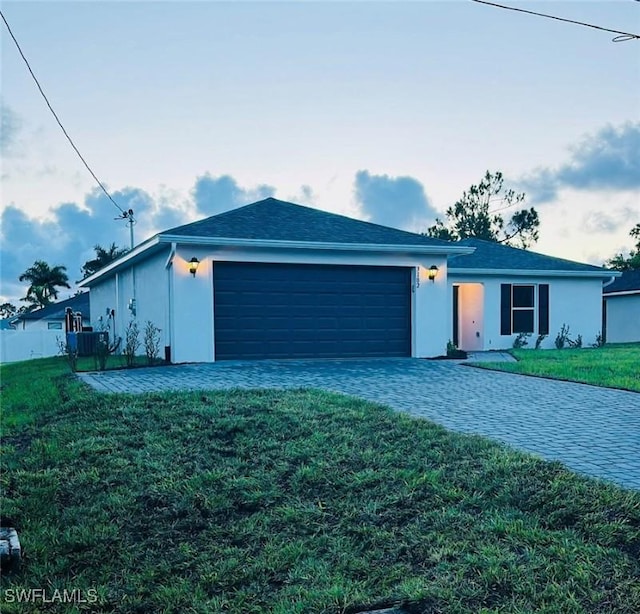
x=276 y=220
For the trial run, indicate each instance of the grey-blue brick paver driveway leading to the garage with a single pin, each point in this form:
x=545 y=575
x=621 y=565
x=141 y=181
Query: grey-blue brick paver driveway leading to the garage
x=592 y=430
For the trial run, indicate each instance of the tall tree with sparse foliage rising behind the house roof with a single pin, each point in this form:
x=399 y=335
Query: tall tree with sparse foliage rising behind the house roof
x=477 y=214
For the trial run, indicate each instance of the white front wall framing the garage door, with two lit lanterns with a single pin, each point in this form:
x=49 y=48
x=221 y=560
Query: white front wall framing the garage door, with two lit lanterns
x=192 y=306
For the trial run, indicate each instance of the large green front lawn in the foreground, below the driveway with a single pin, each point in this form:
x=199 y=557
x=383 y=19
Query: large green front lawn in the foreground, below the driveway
x=300 y=501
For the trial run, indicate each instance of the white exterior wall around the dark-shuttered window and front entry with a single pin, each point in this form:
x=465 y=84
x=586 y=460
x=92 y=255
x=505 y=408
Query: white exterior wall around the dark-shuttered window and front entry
x=576 y=302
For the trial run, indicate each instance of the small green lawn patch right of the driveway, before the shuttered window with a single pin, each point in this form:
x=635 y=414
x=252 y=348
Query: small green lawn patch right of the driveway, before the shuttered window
x=615 y=366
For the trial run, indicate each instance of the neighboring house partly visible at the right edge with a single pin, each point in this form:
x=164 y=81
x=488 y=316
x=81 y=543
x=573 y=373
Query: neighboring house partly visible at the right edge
x=622 y=308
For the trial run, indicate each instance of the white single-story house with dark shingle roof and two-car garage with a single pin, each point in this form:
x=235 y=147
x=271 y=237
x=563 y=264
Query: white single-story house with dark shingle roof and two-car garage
x=278 y=280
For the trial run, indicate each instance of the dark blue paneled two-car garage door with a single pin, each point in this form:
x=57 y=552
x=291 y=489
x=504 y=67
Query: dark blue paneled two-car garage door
x=310 y=311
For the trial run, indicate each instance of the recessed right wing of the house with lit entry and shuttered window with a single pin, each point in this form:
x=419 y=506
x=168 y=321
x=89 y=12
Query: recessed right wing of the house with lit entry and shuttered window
x=500 y=291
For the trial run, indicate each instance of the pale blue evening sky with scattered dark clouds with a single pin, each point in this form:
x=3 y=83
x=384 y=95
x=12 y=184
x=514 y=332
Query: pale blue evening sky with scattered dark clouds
x=384 y=111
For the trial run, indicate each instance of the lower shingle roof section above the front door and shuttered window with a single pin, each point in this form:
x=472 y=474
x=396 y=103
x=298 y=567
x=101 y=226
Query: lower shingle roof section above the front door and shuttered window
x=495 y=256
